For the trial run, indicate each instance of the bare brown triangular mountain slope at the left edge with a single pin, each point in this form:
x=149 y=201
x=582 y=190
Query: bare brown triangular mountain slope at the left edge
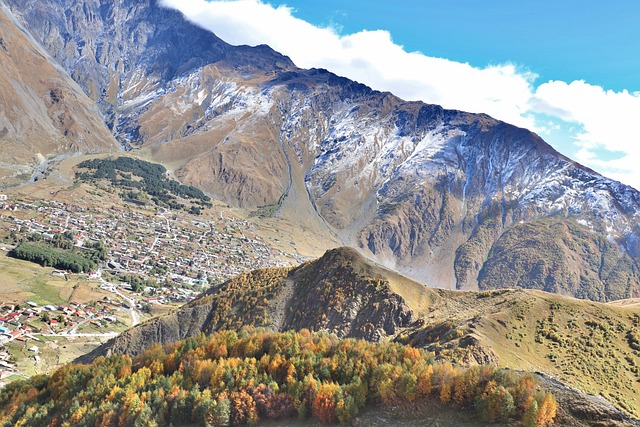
x=43 y=113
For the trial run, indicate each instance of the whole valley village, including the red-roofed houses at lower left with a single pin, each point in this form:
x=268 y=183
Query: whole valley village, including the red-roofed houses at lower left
x=153 y=258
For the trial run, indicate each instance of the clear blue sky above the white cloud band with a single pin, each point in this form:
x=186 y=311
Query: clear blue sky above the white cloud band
x=561 y=39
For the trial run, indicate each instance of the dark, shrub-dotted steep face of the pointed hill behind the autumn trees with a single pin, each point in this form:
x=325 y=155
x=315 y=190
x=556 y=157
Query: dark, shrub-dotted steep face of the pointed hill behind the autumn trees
x=339 y=293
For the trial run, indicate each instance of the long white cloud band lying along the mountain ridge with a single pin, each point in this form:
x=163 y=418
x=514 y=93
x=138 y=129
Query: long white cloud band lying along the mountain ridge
x=607 y=118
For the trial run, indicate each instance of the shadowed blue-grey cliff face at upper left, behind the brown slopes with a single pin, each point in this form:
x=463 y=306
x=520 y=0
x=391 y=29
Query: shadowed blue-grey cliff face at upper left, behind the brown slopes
x=125 y=54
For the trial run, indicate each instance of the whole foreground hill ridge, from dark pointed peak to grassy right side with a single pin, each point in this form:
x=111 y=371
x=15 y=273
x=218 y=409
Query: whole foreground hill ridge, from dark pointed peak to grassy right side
x=589 y=346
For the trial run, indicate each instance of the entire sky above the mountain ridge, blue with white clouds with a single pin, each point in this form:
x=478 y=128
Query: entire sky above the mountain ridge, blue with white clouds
x=568 y=70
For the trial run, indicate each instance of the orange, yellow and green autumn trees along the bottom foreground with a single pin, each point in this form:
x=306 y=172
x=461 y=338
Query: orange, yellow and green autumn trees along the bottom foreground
x=239 y=378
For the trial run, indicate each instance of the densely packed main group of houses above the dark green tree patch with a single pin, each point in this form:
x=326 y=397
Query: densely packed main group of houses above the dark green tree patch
x=169 y=247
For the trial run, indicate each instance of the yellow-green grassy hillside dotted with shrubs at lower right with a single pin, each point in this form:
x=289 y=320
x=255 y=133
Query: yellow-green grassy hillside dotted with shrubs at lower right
x=589 y=346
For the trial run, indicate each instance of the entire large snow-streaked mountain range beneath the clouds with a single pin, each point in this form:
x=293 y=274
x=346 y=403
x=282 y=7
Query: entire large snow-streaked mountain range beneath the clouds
x=442 y=196
